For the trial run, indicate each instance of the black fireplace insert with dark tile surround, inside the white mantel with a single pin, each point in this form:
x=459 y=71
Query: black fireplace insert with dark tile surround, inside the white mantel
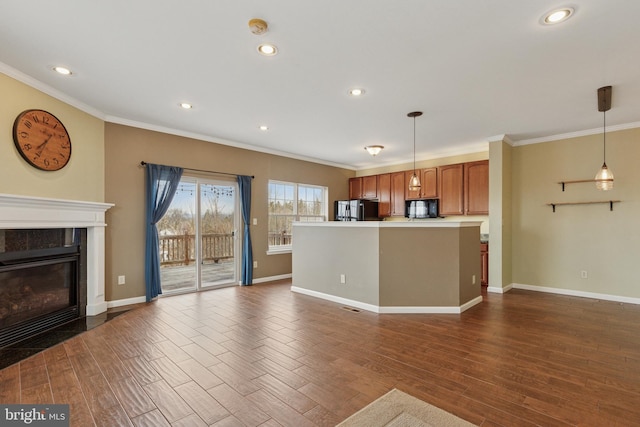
x=42 y=280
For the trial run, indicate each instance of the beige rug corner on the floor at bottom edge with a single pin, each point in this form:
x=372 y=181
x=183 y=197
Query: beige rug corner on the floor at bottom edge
x=398 y=409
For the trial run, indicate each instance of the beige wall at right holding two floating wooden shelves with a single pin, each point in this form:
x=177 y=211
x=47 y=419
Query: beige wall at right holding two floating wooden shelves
x=551 y=249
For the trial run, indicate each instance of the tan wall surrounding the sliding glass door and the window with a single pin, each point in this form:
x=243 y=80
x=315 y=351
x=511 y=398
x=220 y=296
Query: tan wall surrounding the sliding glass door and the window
x=126 y=146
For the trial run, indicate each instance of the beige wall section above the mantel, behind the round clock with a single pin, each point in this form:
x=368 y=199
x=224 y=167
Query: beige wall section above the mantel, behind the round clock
x=81 y=179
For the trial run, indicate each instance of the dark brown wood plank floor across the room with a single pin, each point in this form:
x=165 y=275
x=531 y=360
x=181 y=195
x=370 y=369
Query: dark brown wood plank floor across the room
x=262 y=355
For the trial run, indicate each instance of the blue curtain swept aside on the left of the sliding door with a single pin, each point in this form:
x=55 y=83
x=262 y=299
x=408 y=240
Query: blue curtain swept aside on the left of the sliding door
x=161 y=184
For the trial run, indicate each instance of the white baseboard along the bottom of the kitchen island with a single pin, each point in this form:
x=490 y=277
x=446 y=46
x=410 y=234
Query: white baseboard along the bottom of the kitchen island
x=389 y=309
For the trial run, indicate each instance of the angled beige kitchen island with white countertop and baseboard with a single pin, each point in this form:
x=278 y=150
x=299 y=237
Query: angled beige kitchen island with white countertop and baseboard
x=389 y=266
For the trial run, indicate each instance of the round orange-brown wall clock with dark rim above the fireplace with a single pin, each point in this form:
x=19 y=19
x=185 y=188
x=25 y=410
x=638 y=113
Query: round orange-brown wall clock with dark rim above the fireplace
x=42 y=140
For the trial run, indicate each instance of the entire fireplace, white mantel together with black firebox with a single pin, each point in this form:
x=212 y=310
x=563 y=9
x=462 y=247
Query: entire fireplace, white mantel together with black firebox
x=50 y=238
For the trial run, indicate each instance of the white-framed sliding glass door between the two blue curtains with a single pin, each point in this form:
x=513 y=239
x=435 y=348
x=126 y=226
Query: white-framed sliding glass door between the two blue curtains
x=198 y=237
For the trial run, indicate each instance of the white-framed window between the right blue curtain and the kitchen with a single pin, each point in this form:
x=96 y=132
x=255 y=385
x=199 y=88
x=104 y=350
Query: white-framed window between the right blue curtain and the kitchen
x=289 y=202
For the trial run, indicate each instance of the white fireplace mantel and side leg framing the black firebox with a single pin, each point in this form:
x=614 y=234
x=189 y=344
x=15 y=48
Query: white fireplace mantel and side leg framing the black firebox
x=40 y=212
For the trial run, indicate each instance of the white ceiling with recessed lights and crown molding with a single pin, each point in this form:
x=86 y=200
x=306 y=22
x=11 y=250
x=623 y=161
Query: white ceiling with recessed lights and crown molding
x=477 y=69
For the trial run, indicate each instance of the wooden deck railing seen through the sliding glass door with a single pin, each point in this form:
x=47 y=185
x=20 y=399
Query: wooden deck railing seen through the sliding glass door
x=181 y=249
